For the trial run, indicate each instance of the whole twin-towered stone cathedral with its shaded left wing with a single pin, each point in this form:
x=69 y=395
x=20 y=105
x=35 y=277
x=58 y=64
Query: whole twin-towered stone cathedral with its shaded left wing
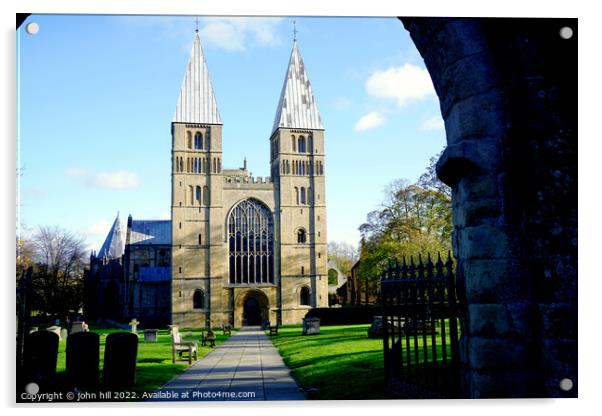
x=238 y=249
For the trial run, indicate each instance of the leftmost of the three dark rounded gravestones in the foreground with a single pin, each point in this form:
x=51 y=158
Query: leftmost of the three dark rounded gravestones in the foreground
x=40 y=355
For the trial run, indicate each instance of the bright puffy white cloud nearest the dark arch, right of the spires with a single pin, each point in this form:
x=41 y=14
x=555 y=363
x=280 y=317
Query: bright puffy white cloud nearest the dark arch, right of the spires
x=404 y=83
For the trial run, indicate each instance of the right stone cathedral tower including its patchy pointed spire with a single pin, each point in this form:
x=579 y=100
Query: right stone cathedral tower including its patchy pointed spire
x=297 y=162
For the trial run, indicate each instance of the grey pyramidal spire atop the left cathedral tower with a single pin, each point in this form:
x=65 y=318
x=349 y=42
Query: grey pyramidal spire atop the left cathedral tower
x=196 y=103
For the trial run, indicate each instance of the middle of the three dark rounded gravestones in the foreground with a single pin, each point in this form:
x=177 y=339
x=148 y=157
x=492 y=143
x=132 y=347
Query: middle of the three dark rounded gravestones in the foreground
x=83 y=351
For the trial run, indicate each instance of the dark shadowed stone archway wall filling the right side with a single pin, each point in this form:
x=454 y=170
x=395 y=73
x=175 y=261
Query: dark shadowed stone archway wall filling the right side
x=507 y=90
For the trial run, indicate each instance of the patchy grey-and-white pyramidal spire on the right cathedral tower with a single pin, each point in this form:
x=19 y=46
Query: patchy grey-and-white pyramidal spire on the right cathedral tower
x=297 y=107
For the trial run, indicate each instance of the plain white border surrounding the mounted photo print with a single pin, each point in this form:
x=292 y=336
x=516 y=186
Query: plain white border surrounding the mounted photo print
x=589 y=132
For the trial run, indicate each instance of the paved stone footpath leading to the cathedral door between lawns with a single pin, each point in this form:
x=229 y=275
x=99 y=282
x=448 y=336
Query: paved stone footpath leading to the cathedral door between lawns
x=246 y=366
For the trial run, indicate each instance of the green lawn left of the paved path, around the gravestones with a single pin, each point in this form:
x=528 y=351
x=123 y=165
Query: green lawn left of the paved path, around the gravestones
x=154 y=365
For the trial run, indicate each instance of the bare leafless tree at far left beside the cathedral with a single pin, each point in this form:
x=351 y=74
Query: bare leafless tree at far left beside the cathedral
x=59 y=258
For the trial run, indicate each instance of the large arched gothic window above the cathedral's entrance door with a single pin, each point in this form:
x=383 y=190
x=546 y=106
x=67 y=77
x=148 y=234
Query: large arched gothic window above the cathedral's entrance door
x=251 y=243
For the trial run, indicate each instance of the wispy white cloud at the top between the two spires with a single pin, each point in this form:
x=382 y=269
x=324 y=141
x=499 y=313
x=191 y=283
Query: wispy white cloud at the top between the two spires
x=234 y=33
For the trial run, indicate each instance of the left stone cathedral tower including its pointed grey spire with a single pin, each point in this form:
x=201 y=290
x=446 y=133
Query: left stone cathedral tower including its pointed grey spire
x=196 y=206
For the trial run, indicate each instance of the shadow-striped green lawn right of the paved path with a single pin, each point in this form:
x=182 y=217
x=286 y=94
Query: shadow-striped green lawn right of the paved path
x=341 y=363
